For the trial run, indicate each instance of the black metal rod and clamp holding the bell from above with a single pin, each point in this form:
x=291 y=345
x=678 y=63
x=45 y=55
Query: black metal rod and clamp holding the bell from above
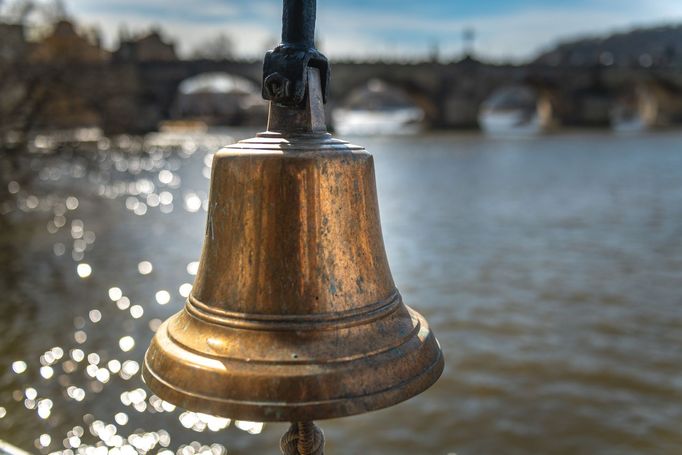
x=285 y=70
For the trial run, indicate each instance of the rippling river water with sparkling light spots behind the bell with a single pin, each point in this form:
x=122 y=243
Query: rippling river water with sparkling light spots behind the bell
x=550 y=268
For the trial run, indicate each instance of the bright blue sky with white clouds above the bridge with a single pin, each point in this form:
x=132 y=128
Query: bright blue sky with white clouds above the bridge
x=505 y=29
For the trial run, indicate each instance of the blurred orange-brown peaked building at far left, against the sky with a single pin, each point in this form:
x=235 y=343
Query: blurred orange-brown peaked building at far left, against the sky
x=65 y=43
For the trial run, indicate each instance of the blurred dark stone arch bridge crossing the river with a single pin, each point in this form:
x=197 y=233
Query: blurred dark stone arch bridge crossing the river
x=450 y=94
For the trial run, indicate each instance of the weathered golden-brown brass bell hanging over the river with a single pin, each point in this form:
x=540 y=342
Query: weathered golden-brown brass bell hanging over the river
x=294 y=315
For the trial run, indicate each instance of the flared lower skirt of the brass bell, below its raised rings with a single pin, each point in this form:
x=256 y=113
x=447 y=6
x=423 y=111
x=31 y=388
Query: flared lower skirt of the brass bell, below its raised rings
x=298 y=375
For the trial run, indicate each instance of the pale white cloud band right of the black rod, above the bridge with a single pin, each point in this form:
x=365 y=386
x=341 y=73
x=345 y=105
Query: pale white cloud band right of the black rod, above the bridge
x=517 y=35
